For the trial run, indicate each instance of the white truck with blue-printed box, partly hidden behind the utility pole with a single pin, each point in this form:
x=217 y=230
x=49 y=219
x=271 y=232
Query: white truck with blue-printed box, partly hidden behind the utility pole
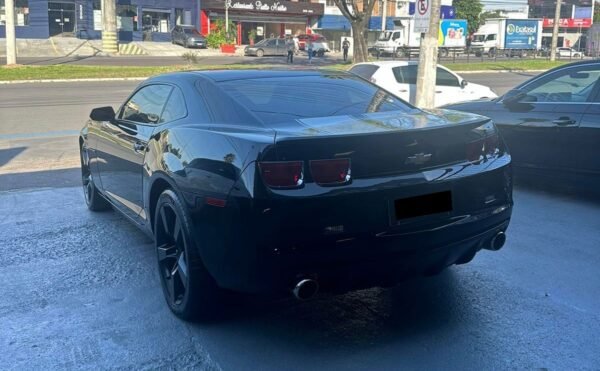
x=404 y=41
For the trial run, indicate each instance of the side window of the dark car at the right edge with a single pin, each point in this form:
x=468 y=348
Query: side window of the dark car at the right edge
x=567 y=86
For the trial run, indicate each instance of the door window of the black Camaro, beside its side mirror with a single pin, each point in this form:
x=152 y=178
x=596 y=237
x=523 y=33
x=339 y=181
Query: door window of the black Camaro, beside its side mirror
x=146 y=105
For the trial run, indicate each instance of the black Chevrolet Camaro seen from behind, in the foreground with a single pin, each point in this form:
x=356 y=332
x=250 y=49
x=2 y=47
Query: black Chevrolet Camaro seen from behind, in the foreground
x=278 y=181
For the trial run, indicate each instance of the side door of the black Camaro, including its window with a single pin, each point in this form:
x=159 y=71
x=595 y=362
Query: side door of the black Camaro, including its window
x=121 y=149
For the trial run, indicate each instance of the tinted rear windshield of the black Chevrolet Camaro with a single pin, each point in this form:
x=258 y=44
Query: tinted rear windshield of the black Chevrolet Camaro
x=279 y=99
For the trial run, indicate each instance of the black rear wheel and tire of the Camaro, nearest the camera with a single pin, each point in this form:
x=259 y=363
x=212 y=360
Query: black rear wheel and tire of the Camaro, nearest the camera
x=189 y=290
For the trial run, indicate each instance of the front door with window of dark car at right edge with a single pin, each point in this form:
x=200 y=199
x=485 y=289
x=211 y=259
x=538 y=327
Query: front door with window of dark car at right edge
x=543 y=128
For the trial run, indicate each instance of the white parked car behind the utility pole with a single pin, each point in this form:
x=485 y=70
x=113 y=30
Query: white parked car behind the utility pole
x=400 y=77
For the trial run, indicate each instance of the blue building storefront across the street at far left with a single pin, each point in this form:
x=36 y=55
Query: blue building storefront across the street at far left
x=136 y=19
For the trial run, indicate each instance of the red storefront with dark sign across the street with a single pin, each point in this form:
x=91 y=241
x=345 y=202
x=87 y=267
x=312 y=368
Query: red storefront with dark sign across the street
x=267 y=18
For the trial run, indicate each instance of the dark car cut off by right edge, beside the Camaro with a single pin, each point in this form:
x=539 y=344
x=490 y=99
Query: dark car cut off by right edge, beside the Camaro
x=551 y=123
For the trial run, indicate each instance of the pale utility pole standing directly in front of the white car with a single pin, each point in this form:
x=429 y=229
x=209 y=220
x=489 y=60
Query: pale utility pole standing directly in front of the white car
x=428 y=53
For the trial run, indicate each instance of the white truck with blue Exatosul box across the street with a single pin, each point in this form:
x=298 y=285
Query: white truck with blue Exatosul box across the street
x=511 y=37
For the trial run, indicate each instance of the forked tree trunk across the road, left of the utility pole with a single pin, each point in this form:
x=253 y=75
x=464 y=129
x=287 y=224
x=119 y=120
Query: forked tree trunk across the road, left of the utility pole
x=358 y=13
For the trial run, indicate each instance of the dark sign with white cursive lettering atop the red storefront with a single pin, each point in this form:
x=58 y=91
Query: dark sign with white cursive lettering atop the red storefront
x=270 y=6
